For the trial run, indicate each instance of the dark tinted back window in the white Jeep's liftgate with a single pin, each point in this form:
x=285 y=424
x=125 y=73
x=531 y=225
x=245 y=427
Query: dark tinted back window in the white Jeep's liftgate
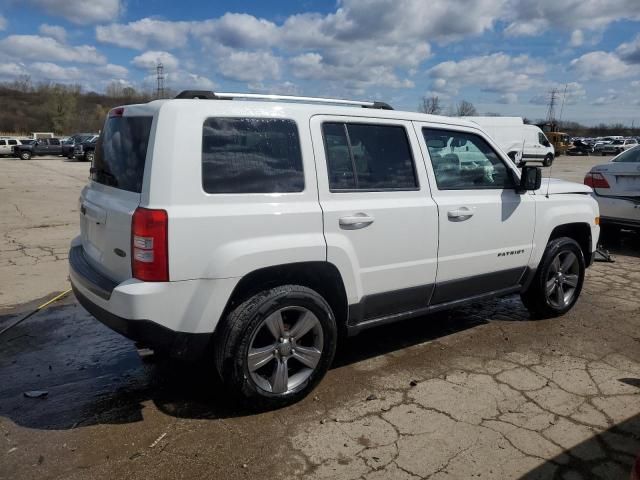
x=121 y=152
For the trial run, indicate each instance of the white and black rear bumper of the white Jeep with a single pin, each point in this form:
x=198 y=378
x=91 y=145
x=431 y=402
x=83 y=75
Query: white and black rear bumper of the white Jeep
x=176 y=317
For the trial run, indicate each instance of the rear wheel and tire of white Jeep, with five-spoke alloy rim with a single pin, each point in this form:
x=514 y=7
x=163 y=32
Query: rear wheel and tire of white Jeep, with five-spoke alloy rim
x=267 y=321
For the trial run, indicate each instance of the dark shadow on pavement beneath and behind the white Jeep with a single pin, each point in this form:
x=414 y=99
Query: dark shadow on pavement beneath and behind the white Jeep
x=95 y=376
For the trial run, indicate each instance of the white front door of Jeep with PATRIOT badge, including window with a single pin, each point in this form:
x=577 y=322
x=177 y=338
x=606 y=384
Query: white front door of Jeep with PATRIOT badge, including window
x=486 y=228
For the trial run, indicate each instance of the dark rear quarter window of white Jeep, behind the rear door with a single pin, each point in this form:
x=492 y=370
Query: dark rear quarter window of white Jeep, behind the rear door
x=251 y=155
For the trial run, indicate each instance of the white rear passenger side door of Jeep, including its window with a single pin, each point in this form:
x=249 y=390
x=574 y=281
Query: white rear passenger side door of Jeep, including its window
x=380 y=222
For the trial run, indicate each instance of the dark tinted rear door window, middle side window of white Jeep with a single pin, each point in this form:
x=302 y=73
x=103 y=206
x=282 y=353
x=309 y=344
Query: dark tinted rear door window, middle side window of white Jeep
x=368 y=157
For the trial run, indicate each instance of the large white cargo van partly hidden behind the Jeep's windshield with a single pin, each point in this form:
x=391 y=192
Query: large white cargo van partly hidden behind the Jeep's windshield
x=521 y=141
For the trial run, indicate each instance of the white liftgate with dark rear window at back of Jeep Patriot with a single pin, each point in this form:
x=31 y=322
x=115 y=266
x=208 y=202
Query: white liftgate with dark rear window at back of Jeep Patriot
x=108 y=202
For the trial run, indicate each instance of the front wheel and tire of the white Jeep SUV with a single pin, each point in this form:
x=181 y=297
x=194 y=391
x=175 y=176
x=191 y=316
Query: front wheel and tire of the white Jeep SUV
x=544 y=297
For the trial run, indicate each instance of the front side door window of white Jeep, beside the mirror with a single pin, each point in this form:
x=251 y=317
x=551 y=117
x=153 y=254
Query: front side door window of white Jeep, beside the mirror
x=463 y=161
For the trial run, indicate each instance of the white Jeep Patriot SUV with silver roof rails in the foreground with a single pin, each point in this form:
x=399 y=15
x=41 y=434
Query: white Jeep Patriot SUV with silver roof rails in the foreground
x=255 y=233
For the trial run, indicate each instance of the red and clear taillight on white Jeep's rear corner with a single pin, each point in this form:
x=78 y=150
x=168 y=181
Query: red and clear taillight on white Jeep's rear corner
x=150 y=245
